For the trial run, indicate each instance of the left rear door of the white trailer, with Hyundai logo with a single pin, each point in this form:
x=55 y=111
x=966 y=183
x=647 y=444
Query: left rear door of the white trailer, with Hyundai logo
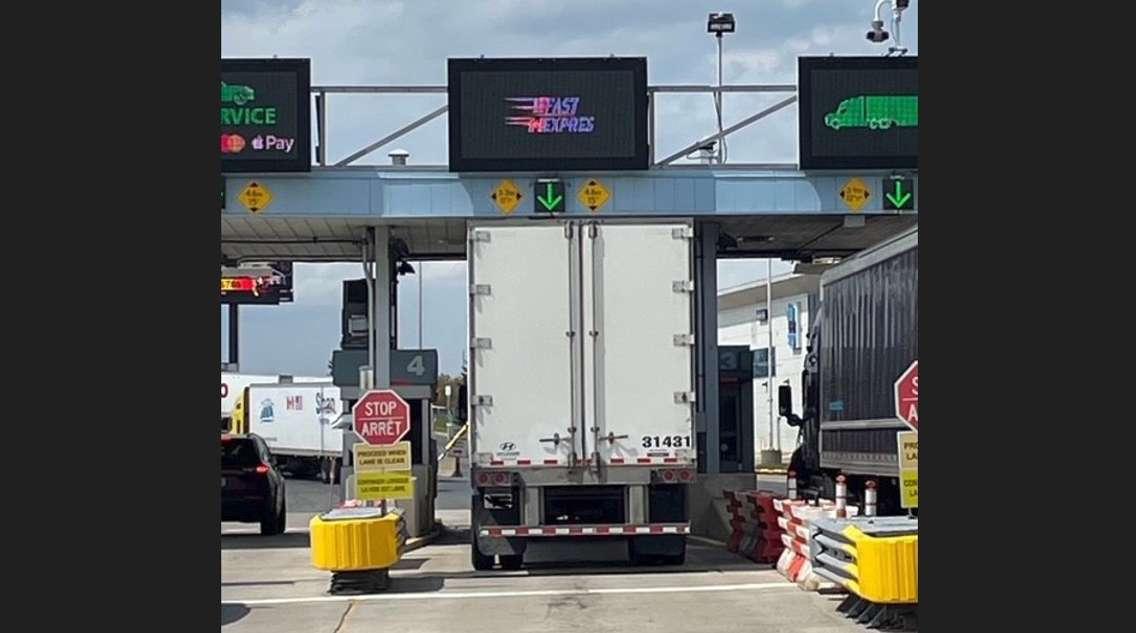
x=524 y=380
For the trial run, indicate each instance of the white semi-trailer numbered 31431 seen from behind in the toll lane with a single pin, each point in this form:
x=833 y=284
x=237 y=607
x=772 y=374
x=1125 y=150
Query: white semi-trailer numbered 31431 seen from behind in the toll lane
x=582 y=387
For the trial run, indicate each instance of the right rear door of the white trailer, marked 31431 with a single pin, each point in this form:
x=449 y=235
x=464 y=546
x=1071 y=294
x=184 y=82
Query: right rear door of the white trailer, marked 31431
x=639 y=346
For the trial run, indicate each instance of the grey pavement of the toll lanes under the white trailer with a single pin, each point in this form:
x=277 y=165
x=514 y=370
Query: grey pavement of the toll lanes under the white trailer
x=269 y=585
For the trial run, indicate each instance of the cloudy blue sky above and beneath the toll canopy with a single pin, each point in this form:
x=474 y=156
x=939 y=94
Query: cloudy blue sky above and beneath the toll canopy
x=391 y=43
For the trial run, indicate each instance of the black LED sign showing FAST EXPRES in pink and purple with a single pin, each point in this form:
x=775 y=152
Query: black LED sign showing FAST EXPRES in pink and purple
x=557 y=114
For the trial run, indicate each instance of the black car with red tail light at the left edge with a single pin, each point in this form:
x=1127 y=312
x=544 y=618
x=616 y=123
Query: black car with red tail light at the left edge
x=252 y=488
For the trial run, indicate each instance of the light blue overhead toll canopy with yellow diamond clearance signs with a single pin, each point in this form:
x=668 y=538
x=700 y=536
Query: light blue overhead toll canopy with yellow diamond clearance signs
x=322 y=216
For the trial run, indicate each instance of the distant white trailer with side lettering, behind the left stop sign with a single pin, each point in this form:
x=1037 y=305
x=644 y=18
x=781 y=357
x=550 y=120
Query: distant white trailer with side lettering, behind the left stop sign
x=296 y=421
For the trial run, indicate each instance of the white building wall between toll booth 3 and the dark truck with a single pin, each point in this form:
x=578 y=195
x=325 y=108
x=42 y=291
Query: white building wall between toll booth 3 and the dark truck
x=739 y=327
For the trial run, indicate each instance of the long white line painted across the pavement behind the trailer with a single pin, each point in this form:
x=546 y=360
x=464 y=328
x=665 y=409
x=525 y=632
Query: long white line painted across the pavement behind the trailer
x=534 y=594
